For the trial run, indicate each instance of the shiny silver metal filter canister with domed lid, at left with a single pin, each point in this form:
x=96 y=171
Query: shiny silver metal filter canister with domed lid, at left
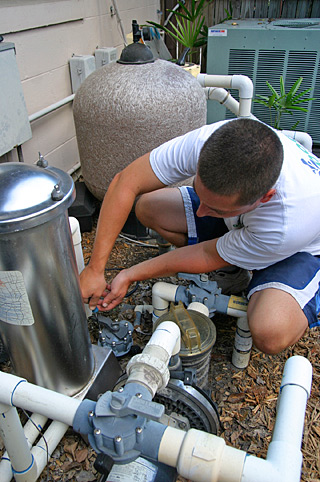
x=43 y=323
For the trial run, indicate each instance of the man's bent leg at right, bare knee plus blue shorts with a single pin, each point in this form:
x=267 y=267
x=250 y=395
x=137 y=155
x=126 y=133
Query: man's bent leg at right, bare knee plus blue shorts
x=284 y=299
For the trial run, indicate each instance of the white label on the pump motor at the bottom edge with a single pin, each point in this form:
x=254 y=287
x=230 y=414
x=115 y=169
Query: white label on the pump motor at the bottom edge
x=141 y=470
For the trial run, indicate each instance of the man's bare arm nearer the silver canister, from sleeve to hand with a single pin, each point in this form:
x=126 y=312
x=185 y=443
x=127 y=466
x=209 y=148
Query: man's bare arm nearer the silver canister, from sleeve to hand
x=135 y=179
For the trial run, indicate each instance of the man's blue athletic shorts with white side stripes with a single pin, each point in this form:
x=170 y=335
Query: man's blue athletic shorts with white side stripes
x=298 y=275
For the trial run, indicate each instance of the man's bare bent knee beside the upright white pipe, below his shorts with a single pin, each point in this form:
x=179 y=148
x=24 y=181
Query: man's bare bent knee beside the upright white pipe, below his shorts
x=275 y=319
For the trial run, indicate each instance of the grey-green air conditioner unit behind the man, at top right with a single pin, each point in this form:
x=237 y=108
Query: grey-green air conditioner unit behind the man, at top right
x=264 y=50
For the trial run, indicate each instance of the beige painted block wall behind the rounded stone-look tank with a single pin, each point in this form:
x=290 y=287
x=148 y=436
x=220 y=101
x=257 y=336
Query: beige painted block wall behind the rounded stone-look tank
x=46 y=34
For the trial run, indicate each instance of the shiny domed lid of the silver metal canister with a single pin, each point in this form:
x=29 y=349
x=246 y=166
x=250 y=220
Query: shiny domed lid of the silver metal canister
x=32 y=195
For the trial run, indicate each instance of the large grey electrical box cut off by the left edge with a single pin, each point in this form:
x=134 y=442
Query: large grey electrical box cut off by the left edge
x=14 y=122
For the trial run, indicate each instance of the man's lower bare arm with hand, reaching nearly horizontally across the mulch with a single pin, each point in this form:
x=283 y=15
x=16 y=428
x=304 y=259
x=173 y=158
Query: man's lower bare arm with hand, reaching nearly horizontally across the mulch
x=199 y=258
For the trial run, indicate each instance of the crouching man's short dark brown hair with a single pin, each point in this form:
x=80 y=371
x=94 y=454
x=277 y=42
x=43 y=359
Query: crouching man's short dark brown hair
x=243 y=156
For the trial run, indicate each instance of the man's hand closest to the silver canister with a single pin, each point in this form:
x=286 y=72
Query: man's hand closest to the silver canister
x=93 y=286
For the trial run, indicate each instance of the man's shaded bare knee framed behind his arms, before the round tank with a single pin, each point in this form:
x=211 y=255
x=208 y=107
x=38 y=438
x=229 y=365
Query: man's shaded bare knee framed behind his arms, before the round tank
x=163 y=211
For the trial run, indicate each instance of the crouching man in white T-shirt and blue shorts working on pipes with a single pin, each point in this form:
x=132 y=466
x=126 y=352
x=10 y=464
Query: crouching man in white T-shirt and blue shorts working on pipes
x=261 y=191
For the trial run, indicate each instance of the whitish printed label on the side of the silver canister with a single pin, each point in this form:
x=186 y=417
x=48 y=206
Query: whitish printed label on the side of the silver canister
x=15 y=308
